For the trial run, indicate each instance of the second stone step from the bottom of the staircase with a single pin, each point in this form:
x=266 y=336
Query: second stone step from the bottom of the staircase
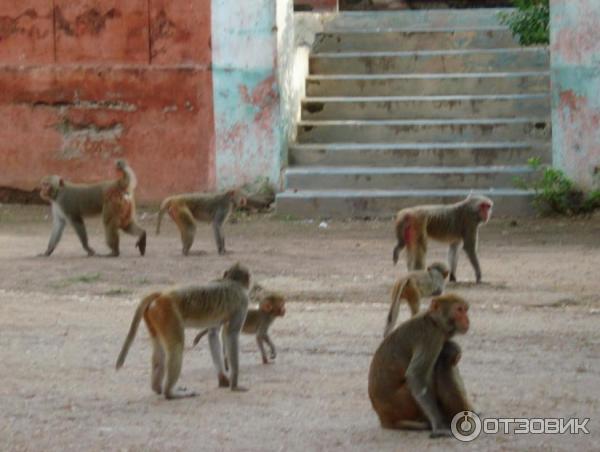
x=404 y=178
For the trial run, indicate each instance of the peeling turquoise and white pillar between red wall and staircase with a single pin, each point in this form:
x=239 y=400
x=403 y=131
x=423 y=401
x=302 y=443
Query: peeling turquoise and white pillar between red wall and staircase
x=250 y=131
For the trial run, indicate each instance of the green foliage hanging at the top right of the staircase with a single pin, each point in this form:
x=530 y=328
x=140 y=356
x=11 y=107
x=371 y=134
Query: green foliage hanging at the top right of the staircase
x=530 y=21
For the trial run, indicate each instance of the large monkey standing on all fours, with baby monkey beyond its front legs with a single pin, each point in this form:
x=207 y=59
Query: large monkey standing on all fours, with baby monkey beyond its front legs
x=166 y=314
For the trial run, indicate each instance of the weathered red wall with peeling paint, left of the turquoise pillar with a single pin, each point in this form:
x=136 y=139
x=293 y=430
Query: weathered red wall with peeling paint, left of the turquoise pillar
x=85 y=82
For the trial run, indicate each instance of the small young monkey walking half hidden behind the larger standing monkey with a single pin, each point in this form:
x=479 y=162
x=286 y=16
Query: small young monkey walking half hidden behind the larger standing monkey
x=258 y=321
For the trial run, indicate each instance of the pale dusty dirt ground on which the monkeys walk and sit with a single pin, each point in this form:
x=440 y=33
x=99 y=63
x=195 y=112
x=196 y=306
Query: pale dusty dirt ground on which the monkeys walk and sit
x=533 y=349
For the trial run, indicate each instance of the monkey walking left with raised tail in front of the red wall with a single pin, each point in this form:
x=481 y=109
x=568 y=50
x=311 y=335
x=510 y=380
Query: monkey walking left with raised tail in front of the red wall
x=113 y=199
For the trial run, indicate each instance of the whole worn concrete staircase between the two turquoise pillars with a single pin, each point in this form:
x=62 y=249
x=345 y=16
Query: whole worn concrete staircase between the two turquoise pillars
x=413 y=107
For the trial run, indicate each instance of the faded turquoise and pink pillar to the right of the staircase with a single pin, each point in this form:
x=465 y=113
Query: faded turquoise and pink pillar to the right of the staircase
x=575 y=72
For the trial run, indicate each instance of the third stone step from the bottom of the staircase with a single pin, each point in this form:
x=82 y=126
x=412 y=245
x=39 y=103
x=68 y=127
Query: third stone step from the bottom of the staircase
x=416 y=154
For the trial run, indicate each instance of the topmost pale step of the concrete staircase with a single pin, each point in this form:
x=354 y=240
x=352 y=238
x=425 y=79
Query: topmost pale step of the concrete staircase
x=401 y=20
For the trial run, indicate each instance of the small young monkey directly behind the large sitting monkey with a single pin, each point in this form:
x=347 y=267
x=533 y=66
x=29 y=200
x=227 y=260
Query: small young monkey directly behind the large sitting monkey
x=414 y=286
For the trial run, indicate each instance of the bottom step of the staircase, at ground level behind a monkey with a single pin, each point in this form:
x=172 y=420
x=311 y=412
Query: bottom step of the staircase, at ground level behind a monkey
x=385 y=203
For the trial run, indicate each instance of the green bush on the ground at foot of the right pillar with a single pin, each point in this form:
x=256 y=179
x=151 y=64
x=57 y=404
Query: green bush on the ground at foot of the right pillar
x=556 y=193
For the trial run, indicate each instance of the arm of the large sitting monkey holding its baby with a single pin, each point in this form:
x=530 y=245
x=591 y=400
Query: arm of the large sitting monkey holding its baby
x=419 y=377
